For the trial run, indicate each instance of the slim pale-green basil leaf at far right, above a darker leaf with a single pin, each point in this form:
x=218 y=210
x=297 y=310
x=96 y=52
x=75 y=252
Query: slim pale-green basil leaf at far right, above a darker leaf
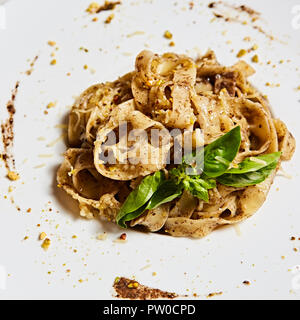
x=255 y=163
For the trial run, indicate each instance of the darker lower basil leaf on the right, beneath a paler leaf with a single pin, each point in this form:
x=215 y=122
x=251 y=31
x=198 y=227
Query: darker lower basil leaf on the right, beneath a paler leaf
x=248 y=178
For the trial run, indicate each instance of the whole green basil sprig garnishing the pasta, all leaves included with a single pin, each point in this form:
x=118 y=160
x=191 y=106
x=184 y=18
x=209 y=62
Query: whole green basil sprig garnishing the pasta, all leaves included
x=155 y=190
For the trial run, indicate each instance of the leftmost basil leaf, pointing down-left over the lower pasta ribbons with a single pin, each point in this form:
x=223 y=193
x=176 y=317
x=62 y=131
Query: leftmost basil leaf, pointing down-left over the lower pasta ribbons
x=140 y=196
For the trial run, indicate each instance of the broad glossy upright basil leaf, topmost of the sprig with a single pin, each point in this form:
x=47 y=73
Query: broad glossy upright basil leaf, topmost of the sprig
x=219 y=154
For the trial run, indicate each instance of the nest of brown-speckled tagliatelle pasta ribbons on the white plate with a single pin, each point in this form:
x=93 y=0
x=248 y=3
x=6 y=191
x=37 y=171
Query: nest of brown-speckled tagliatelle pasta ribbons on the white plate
x=167 y=92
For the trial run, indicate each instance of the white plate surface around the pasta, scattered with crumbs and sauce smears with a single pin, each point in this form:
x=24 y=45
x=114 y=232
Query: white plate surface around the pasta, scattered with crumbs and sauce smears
x=219 y=262
